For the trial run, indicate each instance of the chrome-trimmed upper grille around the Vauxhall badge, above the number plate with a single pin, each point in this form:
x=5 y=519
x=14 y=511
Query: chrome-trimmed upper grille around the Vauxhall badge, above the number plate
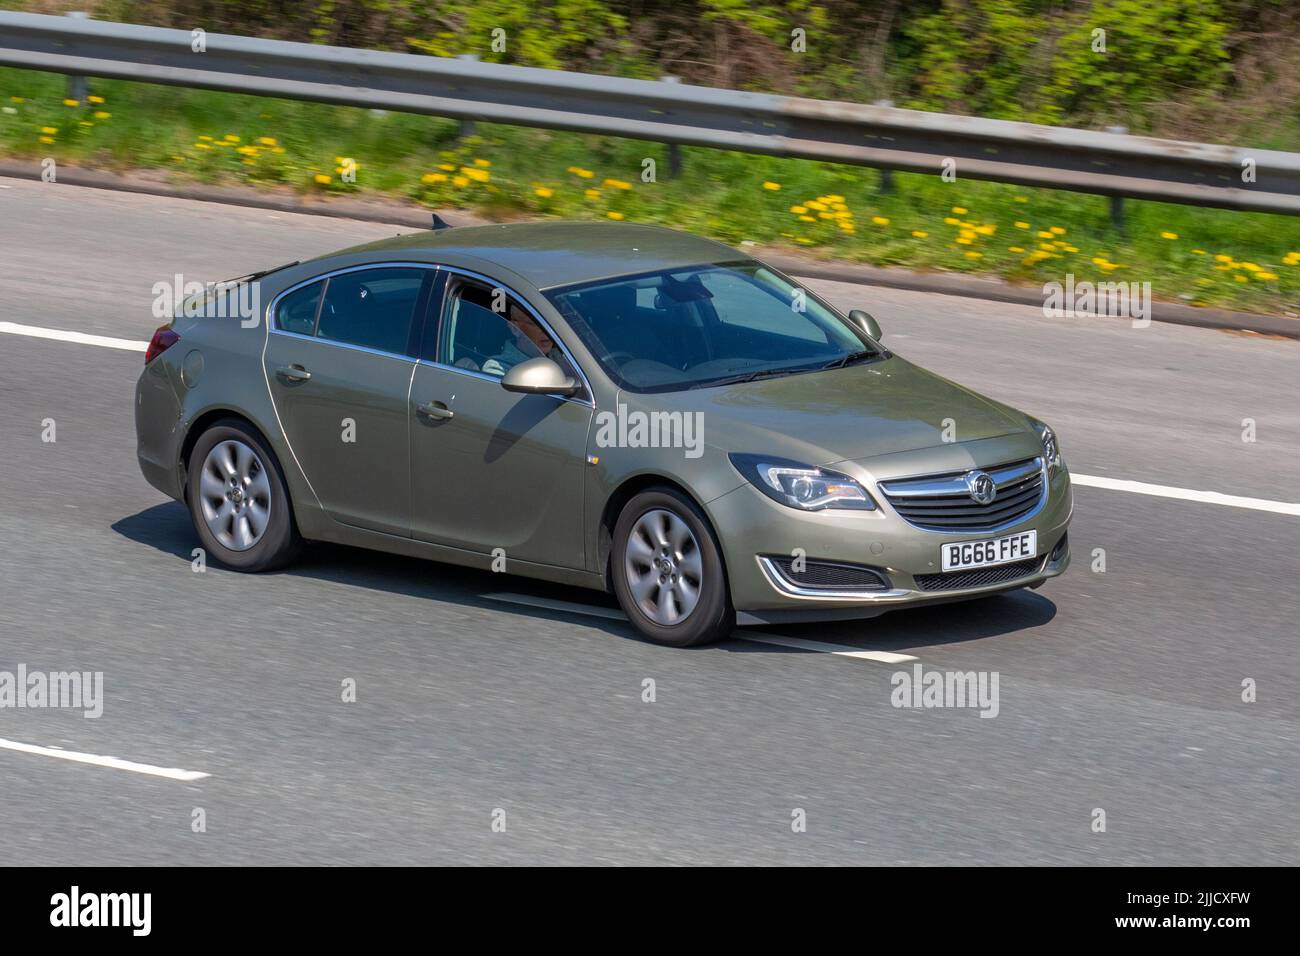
x=943 y=503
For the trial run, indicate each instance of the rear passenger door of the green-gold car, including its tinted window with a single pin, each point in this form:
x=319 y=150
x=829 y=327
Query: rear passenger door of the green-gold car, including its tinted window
x=340 y=357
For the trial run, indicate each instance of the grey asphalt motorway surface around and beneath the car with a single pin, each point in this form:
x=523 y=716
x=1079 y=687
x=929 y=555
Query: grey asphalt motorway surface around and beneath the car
x=1120 y=691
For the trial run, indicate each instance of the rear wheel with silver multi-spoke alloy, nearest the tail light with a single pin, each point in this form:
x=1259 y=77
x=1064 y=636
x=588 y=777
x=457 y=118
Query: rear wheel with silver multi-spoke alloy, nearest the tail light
x=239 y=500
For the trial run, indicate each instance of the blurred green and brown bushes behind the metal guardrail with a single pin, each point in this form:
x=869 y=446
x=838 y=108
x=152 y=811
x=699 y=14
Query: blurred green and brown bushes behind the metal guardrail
x=1171 y=67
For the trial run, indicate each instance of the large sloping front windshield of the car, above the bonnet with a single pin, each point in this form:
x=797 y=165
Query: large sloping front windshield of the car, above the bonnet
x=708 y=326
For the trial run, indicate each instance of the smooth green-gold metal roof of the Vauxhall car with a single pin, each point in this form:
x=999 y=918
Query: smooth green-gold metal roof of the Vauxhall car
x=560 y=254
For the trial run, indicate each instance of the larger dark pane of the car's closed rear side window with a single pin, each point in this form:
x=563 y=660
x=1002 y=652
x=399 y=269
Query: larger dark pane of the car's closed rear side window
x=372 y=308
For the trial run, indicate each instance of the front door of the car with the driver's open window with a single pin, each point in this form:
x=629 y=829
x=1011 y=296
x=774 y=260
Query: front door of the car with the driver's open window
x=495 y=469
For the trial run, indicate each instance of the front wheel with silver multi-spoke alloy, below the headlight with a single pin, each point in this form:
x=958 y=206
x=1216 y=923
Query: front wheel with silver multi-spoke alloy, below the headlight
x=669 y=572
